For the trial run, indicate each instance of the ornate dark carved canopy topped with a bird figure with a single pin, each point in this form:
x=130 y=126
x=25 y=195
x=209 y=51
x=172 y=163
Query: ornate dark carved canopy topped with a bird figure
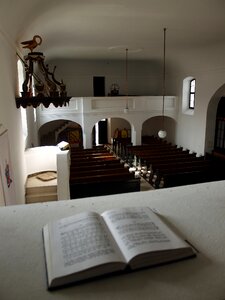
x=40 y=85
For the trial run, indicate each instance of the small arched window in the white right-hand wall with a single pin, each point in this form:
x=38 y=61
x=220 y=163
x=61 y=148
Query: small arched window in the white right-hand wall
x=188 y=97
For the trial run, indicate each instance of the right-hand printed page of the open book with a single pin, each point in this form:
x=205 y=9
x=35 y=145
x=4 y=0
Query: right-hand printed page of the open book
x=139 y=230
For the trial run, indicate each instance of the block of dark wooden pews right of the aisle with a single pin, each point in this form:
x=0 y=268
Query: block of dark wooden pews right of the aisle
x=171 y=166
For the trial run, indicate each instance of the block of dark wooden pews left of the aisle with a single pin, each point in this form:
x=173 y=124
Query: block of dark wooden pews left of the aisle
x=94 y=173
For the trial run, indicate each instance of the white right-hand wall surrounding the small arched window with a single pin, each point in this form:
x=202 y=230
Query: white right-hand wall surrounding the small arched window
x=208 y=67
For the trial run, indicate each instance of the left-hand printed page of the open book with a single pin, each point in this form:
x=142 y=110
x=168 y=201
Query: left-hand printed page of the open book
x=79 y=242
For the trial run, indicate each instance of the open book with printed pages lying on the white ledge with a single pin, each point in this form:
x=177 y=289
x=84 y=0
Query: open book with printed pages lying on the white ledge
x=88 y=245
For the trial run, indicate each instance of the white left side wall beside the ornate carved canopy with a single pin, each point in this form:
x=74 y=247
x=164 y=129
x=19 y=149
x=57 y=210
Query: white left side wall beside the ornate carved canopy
x=9 y=115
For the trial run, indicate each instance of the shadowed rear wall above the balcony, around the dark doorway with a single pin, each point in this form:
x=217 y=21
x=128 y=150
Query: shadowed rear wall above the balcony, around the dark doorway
x=144 y=78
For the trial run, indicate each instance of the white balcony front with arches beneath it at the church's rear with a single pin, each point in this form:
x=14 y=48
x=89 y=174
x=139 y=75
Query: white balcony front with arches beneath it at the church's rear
x=87 y=111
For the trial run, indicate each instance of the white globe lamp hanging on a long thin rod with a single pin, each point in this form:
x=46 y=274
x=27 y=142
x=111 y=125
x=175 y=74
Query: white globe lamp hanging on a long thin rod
x=162 y=132
